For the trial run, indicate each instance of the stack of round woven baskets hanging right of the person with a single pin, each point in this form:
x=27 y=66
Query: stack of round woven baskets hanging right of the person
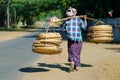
x=100 y=33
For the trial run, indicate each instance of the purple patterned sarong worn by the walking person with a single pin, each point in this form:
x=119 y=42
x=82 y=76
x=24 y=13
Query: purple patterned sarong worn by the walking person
x=74 y=51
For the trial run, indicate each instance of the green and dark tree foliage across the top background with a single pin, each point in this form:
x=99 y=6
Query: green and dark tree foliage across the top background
x=32 y=10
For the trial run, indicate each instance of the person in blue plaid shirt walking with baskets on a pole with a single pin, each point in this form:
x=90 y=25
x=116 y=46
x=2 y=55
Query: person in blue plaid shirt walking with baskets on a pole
x=73 y=27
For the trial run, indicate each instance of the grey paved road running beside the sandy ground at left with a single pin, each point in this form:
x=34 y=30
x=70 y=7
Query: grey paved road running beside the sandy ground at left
x=16 y=54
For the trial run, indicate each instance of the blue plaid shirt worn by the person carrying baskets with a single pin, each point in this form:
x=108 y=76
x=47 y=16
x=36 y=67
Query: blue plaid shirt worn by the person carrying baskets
x=73 y=28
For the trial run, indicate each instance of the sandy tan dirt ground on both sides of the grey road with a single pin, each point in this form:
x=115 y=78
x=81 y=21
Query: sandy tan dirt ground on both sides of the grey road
x=99 y=62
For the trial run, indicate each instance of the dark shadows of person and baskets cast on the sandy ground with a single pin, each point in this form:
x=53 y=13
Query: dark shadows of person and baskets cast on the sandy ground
x=44 y=67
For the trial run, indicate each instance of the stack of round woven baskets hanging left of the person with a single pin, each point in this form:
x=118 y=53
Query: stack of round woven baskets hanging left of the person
x=47 y=43
